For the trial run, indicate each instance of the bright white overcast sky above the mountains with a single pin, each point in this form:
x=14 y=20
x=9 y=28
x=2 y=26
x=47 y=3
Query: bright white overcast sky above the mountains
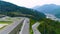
x=32 y=3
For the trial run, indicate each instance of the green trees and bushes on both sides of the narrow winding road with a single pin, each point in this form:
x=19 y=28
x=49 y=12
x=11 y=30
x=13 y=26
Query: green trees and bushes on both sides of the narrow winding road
x=47 y=26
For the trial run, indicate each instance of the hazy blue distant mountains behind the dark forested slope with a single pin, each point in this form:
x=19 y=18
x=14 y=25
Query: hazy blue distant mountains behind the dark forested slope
x=50 y=9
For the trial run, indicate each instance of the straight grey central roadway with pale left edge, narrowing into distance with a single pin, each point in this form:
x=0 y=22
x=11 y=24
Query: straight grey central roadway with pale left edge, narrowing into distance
x=25 y=27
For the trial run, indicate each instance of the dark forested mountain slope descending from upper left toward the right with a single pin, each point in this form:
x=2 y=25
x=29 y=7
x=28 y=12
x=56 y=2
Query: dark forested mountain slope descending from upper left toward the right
x=12 y=10
